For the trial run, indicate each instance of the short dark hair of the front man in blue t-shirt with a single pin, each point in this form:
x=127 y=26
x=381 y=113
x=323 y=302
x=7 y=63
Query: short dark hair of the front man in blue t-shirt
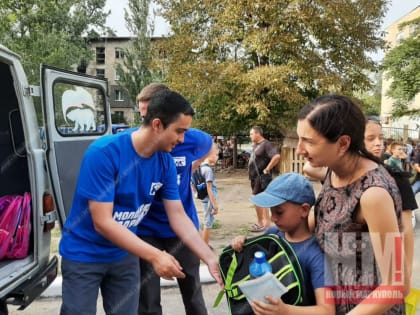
x=167 y=105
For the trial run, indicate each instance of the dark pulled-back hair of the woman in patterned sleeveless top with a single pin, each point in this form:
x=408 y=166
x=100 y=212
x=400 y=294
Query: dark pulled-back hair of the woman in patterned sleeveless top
x=334 y=116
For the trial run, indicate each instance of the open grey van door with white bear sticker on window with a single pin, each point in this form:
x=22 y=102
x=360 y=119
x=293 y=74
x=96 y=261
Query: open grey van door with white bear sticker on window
x=76 y=112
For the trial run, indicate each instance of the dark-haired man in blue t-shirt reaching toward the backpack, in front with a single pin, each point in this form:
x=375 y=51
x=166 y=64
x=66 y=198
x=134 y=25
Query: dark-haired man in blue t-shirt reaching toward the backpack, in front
x=119 y=178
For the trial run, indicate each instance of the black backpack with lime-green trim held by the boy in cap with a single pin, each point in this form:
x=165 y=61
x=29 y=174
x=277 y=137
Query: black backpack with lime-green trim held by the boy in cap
x=286 y=268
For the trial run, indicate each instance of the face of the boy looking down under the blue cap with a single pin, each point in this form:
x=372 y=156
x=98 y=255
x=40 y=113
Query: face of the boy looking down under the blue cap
x=288 y=216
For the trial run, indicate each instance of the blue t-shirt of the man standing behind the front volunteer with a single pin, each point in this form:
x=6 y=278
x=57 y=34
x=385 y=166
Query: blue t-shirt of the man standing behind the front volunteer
x=196 y=145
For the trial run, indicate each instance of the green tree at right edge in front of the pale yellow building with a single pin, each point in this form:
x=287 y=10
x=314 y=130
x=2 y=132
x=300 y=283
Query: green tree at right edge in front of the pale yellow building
x=402 y=66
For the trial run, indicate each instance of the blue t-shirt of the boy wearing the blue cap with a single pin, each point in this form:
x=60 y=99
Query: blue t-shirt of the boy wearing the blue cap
x=312 y=262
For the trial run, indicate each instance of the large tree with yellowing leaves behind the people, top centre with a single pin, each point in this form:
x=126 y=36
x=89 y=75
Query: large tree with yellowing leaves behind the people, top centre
x=257 y=62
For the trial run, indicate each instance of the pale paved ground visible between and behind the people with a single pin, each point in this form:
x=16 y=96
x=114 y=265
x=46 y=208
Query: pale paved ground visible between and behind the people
x=235 y=216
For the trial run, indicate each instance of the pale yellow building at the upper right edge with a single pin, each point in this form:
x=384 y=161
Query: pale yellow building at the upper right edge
x=394 y=37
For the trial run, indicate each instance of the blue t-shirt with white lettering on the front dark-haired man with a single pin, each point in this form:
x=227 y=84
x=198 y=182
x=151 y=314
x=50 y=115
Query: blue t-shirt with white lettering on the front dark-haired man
x=112 y=171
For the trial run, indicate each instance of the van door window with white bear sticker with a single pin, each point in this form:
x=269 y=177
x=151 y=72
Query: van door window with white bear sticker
x=78 y=109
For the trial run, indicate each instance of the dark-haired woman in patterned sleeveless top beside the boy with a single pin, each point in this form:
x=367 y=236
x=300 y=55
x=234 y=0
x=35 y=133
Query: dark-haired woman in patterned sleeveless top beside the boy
x=358 y=211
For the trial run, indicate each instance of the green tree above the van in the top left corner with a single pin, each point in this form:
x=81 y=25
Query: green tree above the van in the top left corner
x=52 y=32
